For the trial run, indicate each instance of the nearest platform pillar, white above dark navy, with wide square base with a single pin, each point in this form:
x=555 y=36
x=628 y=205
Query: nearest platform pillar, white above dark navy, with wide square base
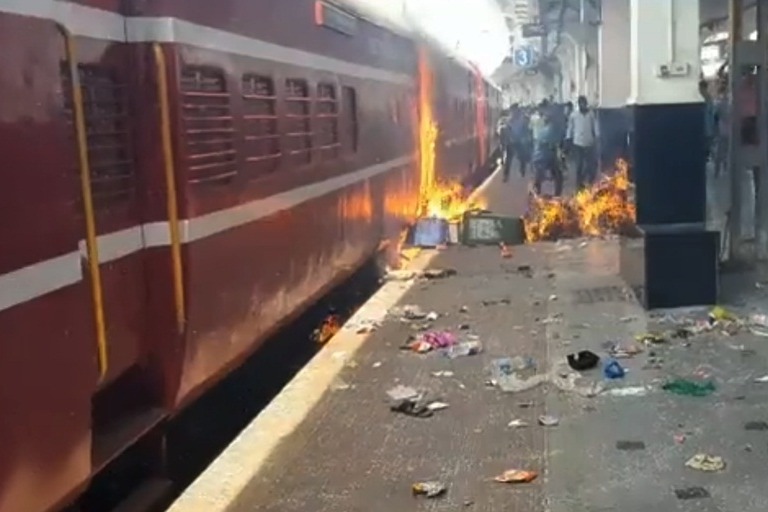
x=673 y=258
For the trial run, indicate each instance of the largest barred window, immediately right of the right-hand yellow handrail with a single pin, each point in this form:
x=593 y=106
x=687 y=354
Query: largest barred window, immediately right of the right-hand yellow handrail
x=208 y=126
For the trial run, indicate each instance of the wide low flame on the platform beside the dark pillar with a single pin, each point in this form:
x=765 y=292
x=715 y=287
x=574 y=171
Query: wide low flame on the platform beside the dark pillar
x=604 y=208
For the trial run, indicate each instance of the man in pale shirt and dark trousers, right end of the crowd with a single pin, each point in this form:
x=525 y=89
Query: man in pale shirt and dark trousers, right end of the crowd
x=582 y=137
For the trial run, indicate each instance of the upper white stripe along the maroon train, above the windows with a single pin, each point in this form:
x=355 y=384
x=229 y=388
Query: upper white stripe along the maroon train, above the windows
x=101 y=24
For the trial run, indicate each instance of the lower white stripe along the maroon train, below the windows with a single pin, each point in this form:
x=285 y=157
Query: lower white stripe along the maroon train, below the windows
x=47 y=276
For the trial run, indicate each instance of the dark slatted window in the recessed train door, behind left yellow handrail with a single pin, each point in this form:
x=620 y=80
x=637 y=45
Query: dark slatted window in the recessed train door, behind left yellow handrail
x=107 y=121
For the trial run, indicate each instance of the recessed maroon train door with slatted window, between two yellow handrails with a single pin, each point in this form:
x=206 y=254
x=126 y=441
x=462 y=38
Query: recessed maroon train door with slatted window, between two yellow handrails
x=100 y=98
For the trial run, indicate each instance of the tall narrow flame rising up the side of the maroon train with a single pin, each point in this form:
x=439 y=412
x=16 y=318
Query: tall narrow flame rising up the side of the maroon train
x=441 y=199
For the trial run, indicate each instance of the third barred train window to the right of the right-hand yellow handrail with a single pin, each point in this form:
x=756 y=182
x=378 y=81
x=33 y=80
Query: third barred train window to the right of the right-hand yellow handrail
x=299 y=135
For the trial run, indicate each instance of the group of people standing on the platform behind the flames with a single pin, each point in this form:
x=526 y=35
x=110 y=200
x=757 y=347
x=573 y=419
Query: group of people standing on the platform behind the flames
x=546 y=137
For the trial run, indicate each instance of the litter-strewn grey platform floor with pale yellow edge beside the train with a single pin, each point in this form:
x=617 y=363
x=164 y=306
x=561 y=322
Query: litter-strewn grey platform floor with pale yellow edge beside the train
x=330 y=442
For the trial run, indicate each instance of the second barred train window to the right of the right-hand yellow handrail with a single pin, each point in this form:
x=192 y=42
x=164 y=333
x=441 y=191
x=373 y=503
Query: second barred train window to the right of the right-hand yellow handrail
x=262 y=138
